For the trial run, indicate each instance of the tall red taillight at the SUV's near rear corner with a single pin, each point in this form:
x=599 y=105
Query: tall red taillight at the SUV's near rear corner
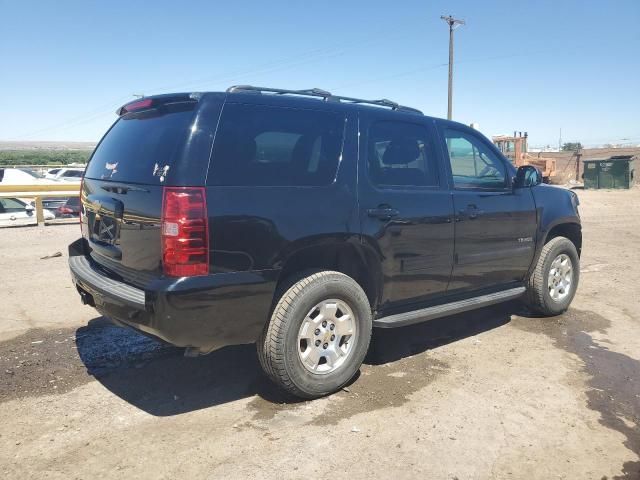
x=185 y=233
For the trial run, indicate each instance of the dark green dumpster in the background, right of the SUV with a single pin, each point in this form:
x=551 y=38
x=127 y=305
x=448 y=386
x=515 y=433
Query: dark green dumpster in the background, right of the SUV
x=613 y=172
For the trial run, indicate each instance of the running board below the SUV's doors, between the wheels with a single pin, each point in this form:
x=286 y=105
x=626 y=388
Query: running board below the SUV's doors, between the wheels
x=417 y=316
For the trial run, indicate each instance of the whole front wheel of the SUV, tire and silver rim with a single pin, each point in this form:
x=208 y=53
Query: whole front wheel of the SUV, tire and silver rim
x=554 y=281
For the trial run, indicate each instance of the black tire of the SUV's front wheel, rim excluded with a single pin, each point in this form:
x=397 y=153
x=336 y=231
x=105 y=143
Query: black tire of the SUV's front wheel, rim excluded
x=537 y=297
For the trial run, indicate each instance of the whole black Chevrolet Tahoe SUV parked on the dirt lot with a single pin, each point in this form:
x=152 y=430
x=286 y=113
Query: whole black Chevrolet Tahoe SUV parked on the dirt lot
x=299 y=220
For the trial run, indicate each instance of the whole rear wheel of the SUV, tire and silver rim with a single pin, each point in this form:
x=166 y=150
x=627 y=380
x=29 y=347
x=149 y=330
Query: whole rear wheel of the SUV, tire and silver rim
x=318 y=335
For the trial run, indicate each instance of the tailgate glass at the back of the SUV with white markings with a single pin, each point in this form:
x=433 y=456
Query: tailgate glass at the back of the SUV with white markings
x=141 y=145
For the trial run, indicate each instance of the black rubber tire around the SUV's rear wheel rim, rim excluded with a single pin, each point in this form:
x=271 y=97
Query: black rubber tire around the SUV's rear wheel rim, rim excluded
x=278 y=345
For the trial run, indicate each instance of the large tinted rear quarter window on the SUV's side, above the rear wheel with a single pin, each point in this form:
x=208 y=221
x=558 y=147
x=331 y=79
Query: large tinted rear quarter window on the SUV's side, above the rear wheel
x=274 y=146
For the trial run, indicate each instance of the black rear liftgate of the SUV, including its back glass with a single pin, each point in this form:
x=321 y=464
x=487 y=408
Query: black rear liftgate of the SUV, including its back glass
x=122 y=190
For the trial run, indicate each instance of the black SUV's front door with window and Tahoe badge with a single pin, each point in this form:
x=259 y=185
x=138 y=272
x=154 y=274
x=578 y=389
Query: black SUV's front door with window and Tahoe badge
x=495 y=225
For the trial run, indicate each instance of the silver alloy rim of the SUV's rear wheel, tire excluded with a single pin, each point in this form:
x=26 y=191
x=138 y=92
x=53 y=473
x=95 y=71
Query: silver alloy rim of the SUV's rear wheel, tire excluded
x=327 y=336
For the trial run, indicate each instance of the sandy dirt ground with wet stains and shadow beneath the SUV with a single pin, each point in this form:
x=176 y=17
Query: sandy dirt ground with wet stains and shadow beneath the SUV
x=483 y=395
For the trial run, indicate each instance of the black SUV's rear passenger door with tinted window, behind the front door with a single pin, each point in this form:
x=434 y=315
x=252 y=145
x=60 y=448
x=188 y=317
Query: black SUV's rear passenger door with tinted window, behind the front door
x=406 y=212
